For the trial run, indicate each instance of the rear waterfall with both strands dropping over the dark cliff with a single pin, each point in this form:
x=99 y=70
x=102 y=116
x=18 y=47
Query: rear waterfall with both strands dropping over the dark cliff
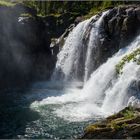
x=75 y=58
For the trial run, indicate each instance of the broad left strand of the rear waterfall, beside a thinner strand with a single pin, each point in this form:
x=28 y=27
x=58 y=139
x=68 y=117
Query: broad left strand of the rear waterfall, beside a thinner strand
x=68 y=58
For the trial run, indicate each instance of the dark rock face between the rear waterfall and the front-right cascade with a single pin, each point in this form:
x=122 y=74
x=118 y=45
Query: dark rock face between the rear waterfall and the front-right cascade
x=121 y=26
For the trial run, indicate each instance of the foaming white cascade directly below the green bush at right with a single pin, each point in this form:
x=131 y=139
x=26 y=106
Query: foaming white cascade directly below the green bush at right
x=117 y=96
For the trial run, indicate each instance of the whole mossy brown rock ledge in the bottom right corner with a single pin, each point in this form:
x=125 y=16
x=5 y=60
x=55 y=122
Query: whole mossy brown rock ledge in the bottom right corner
x=124 y=125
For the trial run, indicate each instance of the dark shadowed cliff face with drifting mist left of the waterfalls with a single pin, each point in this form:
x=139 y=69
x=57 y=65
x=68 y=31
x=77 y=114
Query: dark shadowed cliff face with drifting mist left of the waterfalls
x=25 y=53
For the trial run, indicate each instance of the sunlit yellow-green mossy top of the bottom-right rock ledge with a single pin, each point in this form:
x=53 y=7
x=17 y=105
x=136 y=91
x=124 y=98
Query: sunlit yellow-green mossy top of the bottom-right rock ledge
x=115 y=123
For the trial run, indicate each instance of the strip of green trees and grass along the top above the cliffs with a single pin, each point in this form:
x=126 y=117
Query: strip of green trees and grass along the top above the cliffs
x=85 y=8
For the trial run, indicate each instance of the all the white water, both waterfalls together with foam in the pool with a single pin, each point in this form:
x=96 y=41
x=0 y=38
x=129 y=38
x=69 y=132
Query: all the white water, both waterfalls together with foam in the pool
x=103 y=91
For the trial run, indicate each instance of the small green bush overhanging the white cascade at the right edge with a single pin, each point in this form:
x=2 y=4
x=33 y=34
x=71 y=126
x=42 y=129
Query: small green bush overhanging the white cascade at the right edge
x=132 y=57
